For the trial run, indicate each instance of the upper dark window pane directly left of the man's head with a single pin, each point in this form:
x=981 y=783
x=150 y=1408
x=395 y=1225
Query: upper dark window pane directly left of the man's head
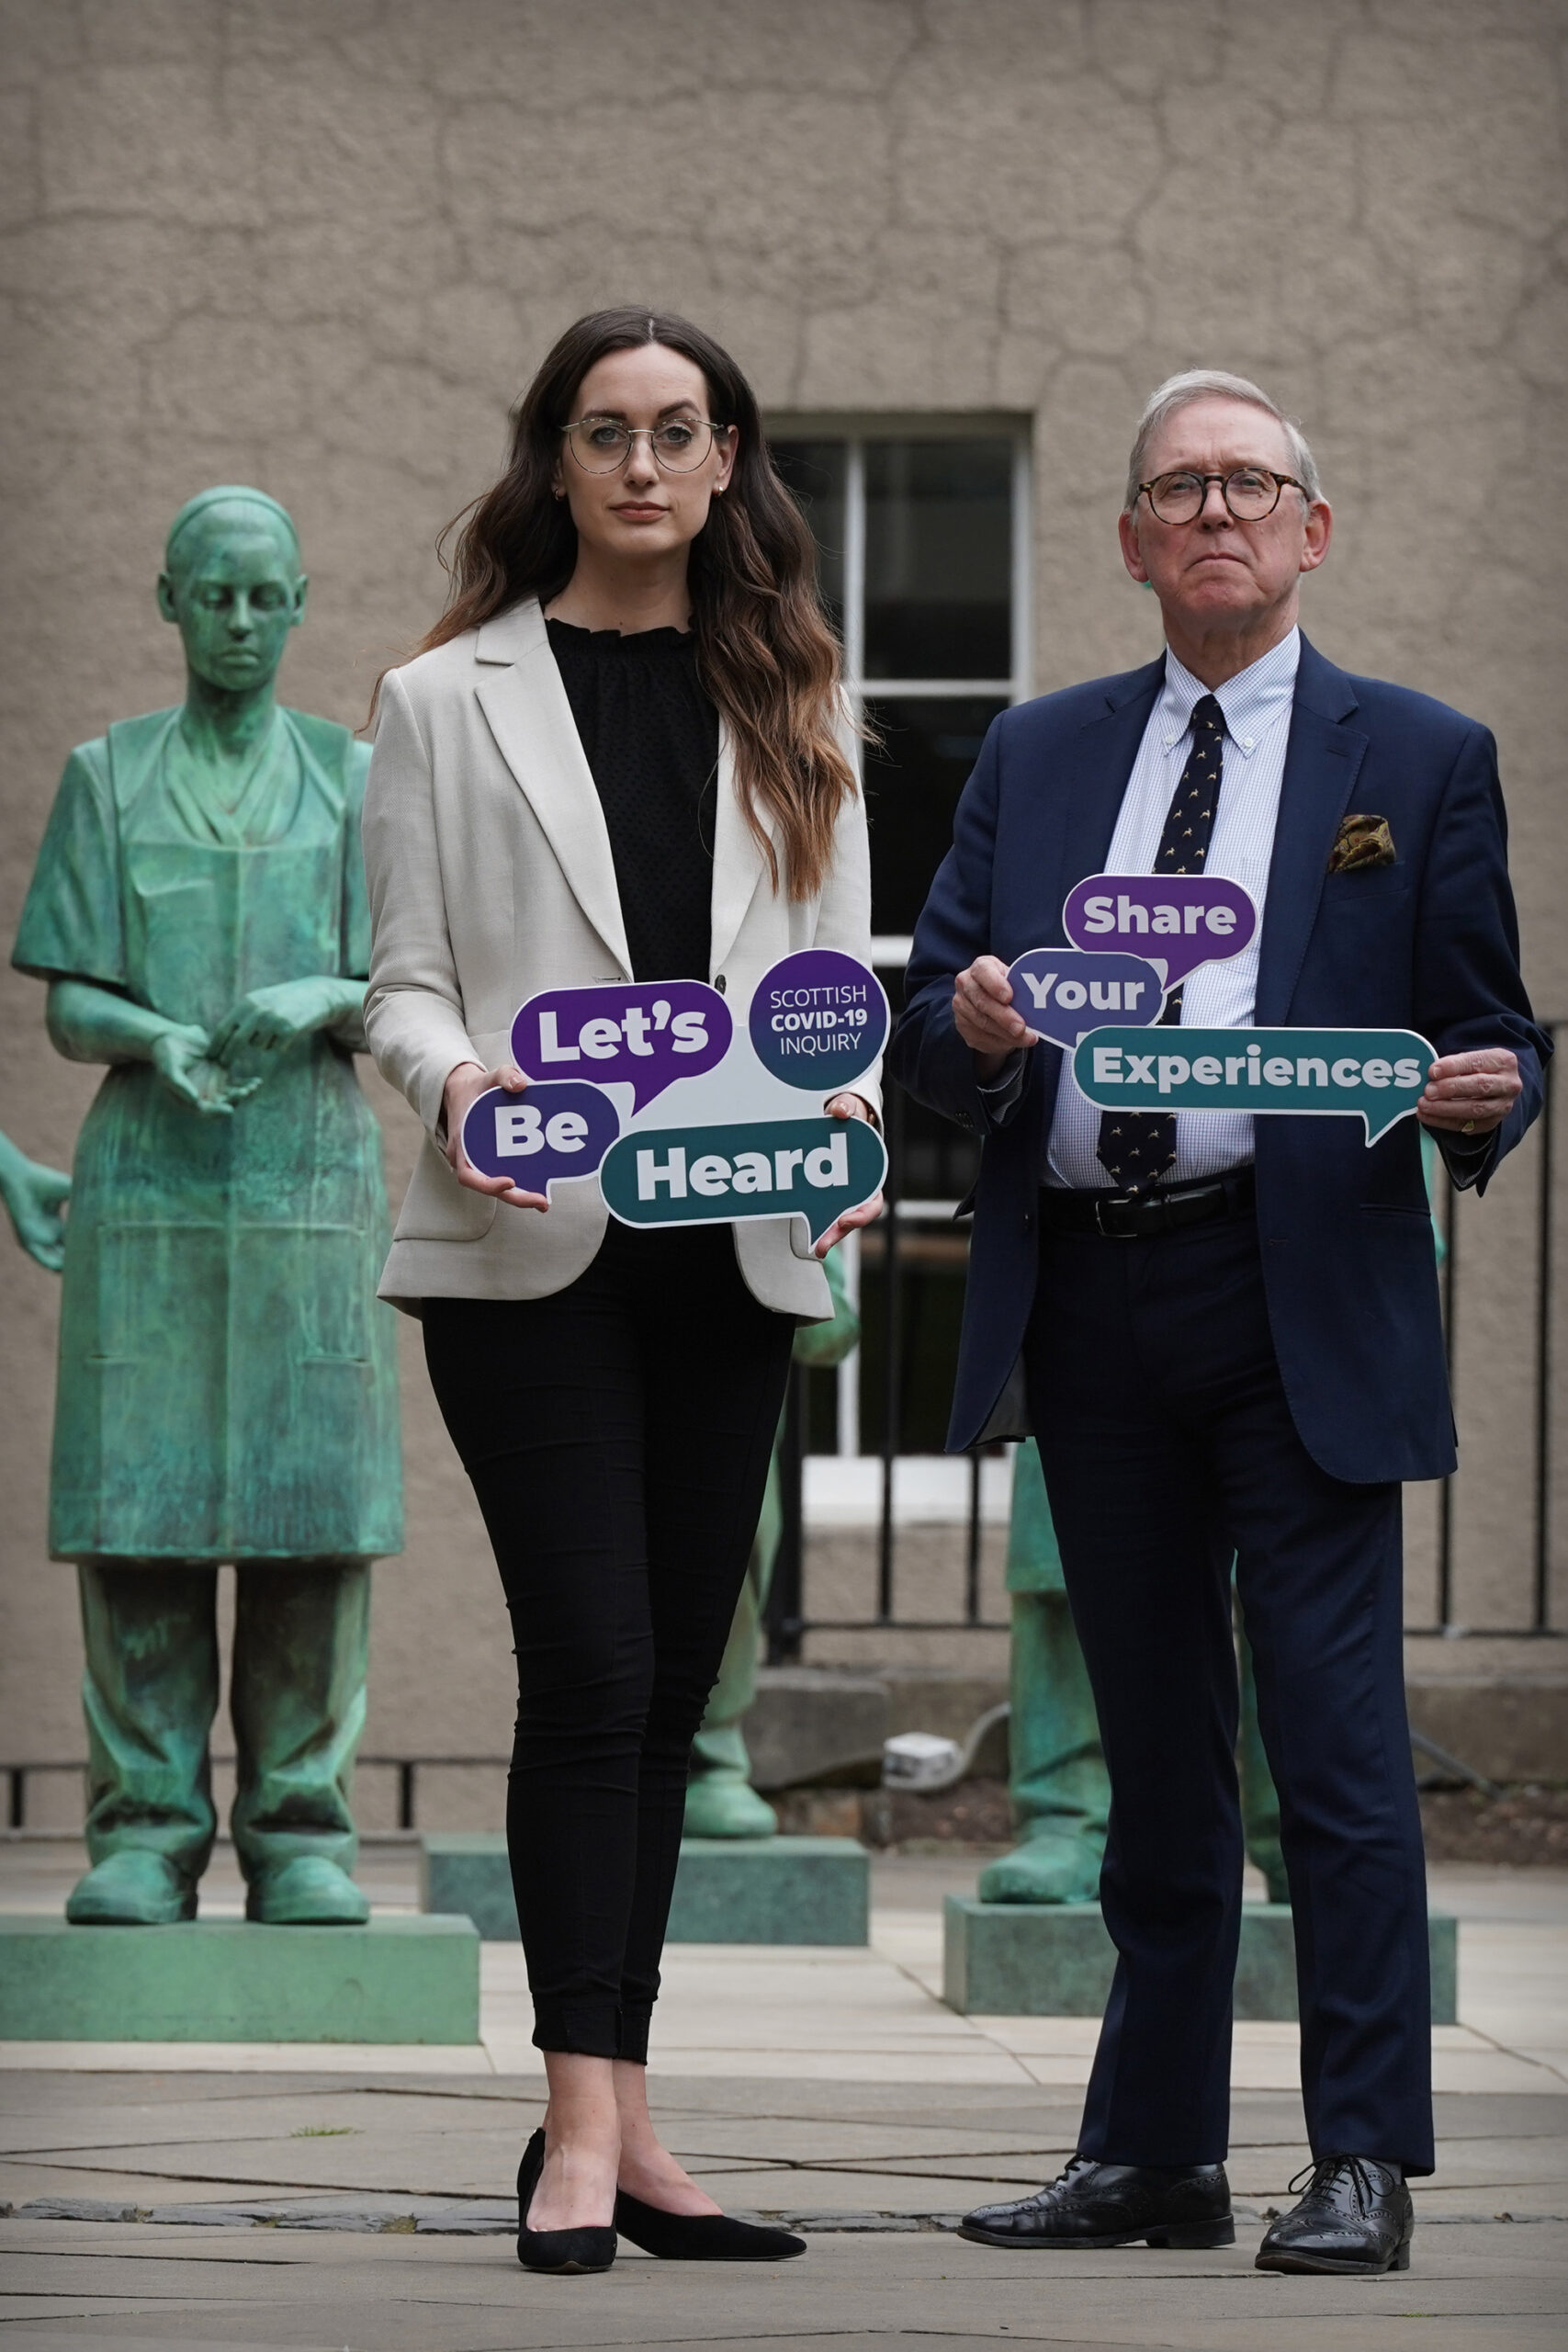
x=939 y=559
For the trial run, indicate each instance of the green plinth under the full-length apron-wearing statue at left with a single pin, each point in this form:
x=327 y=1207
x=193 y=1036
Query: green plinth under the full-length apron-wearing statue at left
x=232 y=1982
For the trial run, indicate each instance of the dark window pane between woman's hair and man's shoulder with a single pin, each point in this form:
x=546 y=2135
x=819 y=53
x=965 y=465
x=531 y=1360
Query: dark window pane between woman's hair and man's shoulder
x=913 y=787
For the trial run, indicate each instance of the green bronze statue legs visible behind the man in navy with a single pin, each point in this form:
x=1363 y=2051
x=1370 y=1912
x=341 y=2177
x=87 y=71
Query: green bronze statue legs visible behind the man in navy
x=1057 y=1772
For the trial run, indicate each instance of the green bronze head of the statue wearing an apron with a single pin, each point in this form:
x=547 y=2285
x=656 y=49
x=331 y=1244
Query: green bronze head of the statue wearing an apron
x=234 y=587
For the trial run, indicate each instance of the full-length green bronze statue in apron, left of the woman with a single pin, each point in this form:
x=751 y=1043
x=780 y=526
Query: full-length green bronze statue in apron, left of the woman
x=227 y=1384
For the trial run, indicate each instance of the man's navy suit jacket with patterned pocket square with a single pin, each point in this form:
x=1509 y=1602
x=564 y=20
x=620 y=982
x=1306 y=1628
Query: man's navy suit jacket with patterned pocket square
x=1423 y=944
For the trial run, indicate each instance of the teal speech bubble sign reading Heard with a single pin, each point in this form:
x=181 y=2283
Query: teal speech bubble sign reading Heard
x=742 y=1170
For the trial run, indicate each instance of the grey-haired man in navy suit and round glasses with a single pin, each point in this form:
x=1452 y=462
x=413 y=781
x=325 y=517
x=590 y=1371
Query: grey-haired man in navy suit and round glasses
x=1228 y=1330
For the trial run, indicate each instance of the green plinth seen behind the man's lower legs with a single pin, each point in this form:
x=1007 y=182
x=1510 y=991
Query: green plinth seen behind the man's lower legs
x=1057 y=1960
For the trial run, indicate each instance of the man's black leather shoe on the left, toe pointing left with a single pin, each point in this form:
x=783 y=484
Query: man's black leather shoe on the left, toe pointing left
x=1111 y=2205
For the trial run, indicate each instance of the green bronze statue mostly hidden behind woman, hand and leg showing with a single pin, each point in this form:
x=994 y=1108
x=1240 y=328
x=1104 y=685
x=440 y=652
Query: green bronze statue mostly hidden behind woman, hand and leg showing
x=721 y=1796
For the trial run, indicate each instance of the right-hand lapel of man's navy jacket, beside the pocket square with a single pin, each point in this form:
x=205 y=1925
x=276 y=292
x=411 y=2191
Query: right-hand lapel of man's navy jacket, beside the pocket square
x=1322 y=763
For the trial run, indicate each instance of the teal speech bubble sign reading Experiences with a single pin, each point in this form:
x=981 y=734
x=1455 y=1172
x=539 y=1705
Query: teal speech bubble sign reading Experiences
x=1299 y=1074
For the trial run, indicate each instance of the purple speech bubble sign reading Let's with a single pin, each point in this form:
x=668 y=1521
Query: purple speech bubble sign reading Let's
x=631 y=1034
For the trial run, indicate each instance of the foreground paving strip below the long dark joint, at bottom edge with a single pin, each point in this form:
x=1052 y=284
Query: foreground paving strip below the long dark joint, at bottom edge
x=1470 y=2292
